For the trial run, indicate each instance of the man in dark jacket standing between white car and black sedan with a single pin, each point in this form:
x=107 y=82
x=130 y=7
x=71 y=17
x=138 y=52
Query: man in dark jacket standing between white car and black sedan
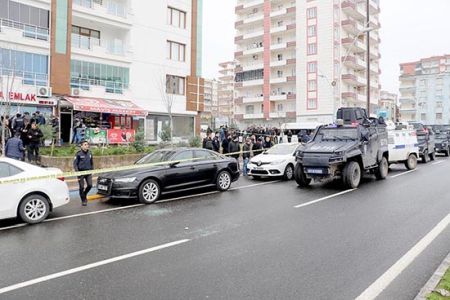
x=84 y=162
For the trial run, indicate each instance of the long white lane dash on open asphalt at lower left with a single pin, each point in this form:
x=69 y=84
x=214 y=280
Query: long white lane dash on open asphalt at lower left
x=89 y=266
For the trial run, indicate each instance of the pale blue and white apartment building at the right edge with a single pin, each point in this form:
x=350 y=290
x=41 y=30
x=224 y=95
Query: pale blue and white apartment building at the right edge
x=425 y=90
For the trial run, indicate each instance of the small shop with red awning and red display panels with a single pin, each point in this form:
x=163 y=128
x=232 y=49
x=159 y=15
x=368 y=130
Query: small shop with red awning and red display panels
x=100 y=121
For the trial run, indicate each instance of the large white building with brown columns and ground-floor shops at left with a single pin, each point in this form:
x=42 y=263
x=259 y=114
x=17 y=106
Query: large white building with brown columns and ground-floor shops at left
x=111 y=63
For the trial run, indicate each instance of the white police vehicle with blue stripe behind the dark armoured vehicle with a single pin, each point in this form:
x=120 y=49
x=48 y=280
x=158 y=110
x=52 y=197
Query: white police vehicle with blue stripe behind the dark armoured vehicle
x=403 y=147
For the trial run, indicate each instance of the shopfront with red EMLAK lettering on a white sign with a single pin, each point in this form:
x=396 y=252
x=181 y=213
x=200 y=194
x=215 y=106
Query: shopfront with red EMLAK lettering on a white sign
x=19 y=102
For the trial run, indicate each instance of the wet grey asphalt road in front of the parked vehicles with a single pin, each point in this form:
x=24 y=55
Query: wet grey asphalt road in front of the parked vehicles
x=261 y=240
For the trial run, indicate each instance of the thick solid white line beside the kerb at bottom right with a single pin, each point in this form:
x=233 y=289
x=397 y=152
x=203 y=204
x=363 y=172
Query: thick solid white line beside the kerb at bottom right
x=386 y=279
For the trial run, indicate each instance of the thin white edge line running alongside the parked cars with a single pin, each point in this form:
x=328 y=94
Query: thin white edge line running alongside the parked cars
x=135 y=205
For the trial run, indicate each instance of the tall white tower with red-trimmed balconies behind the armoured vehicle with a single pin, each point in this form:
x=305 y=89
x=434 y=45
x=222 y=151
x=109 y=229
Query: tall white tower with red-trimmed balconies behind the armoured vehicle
x=298 y=61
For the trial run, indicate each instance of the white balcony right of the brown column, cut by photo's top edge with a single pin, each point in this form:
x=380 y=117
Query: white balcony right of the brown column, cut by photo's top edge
x=108 y=13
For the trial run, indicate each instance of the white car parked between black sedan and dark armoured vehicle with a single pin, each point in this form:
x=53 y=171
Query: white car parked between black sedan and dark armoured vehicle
x=275 y=162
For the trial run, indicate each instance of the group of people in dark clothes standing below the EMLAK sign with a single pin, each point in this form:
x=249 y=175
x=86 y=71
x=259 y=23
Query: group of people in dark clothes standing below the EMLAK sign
x=23 y=137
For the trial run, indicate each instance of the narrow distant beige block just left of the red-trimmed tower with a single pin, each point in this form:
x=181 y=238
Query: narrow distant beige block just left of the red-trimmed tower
x=226 y=94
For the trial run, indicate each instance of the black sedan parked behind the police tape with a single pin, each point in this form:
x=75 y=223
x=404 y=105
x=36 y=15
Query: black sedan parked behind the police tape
x=176 y=170
